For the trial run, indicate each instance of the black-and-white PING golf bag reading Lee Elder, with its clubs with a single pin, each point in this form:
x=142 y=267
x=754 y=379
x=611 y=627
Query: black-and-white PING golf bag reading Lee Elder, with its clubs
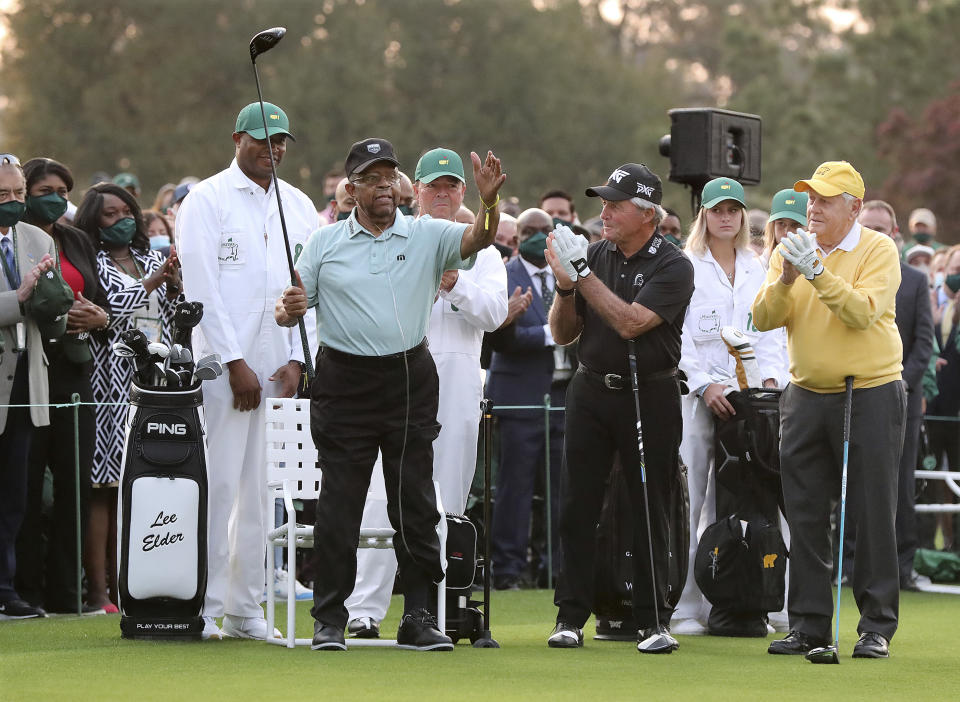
x=162 y=516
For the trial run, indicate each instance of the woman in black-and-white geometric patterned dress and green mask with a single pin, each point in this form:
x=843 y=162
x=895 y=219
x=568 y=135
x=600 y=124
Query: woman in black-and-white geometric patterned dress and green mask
x=142 y=289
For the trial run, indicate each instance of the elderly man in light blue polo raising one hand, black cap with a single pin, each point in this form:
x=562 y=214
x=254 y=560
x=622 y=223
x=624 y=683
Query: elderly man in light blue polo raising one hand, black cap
x=373 y=278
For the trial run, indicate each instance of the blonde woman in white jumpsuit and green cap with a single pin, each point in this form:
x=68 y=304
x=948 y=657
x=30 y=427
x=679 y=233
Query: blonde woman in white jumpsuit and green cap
x=727 y=276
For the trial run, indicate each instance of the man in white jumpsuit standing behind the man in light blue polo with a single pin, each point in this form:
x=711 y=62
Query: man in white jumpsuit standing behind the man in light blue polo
x=469 y=303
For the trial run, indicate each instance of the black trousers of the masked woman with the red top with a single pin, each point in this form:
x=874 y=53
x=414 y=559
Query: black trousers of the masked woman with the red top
x=47 y=547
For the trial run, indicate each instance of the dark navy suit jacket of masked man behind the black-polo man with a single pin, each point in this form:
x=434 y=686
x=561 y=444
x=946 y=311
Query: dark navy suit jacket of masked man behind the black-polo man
x=521 y=369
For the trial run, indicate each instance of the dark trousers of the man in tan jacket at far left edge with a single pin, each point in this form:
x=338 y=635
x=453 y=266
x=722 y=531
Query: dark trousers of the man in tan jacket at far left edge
x=14 y=449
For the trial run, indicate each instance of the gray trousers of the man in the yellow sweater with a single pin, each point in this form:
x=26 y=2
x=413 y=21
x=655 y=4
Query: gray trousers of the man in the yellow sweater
x=811 y=461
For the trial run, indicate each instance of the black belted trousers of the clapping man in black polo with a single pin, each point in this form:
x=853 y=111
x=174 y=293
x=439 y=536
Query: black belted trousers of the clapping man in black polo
x=600 y=423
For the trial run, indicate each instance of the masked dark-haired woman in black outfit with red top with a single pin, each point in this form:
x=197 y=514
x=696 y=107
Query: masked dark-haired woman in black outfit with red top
x=49 y=579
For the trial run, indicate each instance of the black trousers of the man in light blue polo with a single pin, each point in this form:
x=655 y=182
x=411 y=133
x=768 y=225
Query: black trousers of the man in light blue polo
x=359 y=405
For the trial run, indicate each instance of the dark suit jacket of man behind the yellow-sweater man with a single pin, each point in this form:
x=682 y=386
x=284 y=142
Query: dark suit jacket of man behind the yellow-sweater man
x=915 y=322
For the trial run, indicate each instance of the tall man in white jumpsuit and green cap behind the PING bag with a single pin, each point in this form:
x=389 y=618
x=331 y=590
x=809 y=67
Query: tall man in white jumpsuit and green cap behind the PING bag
x=234 y=261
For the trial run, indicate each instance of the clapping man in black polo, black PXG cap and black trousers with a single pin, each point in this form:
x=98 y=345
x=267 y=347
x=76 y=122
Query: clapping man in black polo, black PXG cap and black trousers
x=632 y=284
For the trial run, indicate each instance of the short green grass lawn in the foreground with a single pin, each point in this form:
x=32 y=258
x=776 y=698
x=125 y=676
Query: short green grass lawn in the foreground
x=84 y=658
